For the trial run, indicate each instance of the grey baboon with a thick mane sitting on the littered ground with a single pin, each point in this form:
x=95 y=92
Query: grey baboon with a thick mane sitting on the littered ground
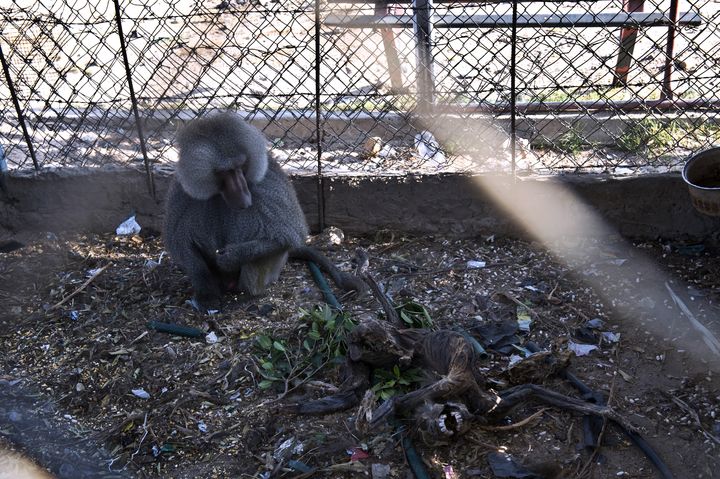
x=232 y=216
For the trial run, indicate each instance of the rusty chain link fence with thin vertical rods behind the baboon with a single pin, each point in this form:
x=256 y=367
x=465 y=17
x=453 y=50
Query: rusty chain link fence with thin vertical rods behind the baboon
x=351 y=86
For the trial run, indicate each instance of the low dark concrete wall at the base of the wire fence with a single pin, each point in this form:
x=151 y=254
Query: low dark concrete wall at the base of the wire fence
x=98 y=200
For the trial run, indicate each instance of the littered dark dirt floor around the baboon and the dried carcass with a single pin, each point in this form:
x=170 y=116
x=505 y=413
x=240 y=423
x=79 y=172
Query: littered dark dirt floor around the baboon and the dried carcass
x=151 y=404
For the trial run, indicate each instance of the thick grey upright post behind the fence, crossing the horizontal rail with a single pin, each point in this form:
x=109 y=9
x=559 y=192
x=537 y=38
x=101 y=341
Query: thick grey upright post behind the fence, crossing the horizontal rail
x=422 y=26
